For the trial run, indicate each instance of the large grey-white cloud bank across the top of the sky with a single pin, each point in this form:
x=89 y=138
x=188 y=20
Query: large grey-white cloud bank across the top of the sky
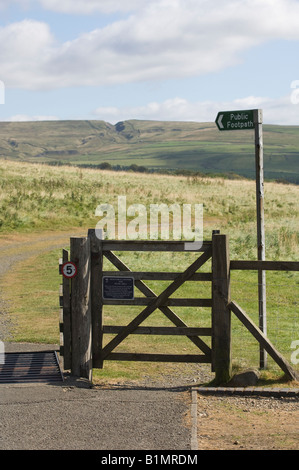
x=162 y=39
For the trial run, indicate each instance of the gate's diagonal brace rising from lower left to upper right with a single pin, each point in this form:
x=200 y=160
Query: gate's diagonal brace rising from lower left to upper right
x=156 y=303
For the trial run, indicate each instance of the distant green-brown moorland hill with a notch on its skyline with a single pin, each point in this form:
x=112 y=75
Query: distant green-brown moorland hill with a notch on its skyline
x=155 y=145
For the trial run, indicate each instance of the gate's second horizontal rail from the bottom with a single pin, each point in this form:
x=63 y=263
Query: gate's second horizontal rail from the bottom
x=161 y=330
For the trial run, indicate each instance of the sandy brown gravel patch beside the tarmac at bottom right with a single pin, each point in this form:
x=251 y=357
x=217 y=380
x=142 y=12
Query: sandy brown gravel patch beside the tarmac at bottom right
x=247 y=423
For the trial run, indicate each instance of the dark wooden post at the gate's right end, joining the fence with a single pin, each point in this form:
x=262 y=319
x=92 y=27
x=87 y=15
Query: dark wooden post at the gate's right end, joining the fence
x=221 y=315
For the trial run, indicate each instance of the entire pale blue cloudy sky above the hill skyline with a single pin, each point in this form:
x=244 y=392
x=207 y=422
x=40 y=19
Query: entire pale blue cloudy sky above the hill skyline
x=169 y=60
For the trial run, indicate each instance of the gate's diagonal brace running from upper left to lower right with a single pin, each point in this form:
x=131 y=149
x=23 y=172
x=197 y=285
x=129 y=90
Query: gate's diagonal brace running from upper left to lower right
x=172 y=316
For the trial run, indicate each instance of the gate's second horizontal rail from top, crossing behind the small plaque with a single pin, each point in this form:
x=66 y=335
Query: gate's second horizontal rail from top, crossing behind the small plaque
x=157 y=276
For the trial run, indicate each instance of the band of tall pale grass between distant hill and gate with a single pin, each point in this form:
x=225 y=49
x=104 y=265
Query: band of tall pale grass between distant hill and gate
x=39 y=197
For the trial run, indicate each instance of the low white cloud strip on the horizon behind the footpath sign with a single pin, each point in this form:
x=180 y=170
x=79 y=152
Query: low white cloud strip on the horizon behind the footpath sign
x=275 y=111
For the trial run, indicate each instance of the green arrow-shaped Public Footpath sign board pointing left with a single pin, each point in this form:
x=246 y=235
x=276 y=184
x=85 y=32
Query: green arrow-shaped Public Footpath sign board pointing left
x=235 y=120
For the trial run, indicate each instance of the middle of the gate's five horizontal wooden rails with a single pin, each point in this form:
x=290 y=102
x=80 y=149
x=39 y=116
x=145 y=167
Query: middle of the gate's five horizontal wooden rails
x=166 y=302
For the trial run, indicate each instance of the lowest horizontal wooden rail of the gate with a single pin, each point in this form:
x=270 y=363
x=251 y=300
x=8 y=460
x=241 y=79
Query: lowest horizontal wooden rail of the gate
x=187 y=358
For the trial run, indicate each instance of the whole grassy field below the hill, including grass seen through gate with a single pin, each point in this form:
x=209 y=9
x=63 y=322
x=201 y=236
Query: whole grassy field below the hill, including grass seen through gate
x=39 y=198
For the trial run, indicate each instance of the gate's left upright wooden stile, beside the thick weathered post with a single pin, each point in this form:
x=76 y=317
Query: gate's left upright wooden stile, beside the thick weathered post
x=96 y=298
